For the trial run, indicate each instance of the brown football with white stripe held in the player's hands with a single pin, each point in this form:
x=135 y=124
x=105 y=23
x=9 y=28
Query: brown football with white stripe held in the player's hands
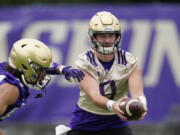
x=133 y=108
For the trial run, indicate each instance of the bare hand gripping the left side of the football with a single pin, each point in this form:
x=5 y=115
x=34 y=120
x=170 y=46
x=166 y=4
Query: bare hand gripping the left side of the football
x=120 y=113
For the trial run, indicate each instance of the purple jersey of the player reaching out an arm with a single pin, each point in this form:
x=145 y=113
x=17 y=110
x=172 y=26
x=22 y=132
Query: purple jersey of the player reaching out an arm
x=6 y=77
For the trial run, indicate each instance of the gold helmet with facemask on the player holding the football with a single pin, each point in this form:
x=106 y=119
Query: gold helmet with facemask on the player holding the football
x=104 y=23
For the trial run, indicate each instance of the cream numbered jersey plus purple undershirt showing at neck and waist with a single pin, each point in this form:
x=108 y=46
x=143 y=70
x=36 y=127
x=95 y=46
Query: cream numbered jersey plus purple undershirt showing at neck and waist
x=113 y=83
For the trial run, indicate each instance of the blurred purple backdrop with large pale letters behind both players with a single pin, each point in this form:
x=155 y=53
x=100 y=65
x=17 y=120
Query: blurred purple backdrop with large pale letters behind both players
x=150 y=31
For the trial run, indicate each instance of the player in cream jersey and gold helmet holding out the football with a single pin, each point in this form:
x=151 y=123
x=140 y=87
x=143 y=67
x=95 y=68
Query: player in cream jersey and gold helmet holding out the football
x=110 y=74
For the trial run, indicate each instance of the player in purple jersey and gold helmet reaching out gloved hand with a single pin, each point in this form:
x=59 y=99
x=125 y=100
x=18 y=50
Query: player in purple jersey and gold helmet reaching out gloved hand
x=29 y=66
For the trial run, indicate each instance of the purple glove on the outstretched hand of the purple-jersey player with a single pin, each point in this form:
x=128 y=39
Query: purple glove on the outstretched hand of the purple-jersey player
x=72 y=73
